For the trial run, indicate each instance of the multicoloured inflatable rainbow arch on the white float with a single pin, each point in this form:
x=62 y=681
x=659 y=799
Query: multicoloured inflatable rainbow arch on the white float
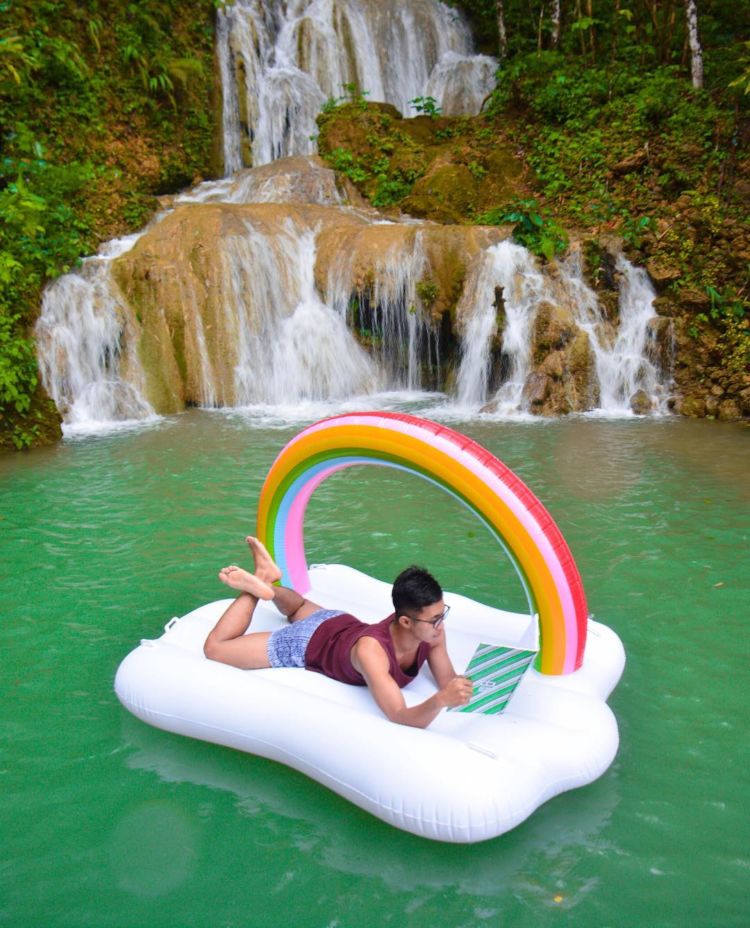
x=464 y=469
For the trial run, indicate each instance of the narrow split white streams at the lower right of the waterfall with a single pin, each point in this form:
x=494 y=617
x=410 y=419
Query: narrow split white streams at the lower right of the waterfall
x=623 y=363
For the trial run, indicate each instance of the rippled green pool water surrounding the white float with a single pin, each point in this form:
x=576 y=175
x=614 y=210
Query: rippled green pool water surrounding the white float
x=107 y=822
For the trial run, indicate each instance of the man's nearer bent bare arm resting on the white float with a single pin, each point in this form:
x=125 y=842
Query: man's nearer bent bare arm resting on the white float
x=370 y=659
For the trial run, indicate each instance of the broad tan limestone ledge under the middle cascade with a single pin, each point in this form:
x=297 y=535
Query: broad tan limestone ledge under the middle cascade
x=211 y=283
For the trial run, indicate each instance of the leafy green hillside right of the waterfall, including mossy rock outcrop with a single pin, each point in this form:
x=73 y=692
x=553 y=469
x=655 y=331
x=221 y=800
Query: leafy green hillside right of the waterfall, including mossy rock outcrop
x=602 y=140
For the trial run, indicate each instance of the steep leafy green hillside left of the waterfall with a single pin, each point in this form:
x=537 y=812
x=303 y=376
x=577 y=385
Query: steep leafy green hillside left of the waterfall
x=85 y=142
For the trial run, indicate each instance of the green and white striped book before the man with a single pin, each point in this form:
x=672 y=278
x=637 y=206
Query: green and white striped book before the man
x=495 y=672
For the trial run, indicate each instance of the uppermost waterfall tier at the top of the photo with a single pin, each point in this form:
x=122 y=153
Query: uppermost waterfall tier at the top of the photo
x=280 y=65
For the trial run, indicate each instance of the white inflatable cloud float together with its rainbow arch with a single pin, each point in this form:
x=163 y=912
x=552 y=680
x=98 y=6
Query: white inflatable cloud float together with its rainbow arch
x=466 y=778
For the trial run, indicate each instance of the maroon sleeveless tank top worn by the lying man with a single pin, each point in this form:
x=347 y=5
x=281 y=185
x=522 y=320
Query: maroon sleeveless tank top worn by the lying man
x=329 y=649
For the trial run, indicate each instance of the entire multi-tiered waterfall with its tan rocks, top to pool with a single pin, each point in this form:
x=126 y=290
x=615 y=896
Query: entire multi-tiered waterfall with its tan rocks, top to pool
x=251 y=319
